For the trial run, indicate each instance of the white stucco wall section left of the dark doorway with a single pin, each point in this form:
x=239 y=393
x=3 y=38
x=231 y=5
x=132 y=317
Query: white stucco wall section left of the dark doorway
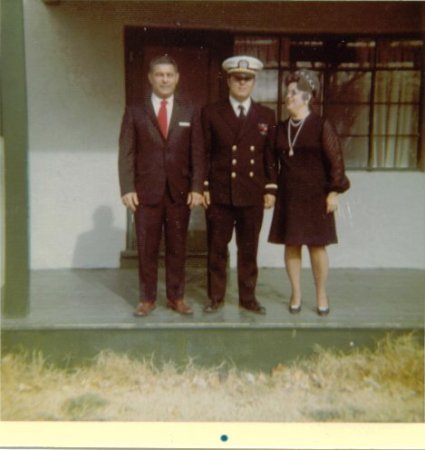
x=75 y=76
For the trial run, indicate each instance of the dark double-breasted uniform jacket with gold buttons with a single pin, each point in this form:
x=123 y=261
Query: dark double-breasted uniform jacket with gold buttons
x=241 y=163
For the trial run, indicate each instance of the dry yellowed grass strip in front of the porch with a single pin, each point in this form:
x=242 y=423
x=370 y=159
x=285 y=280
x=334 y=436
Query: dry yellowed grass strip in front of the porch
x=383 y=385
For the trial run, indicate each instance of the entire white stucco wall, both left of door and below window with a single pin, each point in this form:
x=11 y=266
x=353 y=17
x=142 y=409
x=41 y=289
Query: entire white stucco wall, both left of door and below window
x=75 y=69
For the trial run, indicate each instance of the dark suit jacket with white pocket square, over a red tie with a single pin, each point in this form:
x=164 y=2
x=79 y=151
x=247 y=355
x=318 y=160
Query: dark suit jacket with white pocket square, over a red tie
x=148 y=162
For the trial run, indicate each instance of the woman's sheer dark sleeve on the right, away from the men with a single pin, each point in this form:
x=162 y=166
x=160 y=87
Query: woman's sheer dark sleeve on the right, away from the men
x=338 y=181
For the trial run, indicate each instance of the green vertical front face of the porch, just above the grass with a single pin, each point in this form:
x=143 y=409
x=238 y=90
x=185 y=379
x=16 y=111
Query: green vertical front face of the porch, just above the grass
x=247 y=348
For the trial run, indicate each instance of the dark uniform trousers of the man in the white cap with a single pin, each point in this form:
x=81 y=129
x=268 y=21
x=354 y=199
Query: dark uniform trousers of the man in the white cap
x=221 y=221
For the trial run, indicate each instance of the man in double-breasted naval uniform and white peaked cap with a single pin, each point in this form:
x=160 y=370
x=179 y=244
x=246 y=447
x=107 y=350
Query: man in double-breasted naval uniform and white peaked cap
x=241 y=181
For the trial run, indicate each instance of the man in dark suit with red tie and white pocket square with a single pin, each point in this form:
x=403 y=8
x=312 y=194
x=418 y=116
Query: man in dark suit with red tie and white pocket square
x=161 y=171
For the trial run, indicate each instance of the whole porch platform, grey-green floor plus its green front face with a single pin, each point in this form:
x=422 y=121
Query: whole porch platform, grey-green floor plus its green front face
x=75 y=314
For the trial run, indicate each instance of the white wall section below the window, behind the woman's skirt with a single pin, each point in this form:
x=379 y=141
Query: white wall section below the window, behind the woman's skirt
x=380 y=222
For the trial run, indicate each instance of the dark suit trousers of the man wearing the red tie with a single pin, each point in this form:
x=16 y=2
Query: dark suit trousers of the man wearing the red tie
x=150 y=221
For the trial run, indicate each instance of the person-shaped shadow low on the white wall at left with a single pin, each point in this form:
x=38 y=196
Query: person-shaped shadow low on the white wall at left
x=101 y=246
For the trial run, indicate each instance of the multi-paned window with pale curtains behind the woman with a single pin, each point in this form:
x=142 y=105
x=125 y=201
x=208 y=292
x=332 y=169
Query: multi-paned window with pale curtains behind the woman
x=370 y=90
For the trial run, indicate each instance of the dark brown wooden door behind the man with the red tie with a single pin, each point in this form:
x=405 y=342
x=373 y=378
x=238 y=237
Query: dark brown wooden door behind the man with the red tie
x=199 y=55
